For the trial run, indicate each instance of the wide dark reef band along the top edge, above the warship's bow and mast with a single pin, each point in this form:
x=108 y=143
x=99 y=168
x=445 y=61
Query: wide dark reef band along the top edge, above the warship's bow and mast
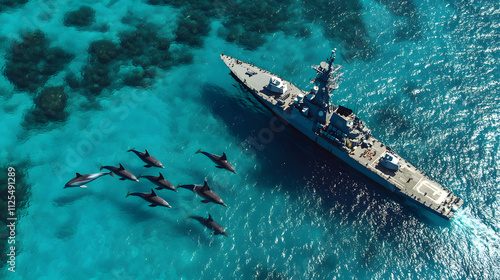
x=246 y=23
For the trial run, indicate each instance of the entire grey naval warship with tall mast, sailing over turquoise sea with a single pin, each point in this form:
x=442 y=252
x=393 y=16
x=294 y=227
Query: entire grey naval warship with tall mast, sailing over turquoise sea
x=341 y=133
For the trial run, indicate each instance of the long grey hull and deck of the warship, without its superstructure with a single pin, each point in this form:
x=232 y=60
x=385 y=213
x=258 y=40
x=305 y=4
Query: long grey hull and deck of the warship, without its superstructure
x=409 y=183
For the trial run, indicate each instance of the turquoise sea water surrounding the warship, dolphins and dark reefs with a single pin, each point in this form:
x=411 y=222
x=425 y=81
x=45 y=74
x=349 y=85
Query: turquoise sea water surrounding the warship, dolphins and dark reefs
x=428 y=88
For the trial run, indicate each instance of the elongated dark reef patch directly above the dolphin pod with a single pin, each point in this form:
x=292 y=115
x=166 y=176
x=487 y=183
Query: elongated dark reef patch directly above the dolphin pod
x=130 y=62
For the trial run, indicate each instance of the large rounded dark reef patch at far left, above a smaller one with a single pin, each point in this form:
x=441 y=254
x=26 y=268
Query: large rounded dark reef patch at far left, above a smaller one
x=32 y=61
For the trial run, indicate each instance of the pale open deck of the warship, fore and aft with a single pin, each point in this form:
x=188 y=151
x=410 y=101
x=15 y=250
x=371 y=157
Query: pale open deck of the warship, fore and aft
x=408 y=182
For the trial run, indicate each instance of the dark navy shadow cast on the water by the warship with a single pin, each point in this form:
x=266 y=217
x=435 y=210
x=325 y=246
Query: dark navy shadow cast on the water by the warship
x=303 y=165
